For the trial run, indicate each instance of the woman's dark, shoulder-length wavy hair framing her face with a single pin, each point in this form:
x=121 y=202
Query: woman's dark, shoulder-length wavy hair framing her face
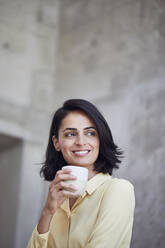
x=109 y=154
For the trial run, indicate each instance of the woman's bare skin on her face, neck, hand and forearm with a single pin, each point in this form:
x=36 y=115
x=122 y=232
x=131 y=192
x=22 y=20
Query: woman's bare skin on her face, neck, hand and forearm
x=79 y=143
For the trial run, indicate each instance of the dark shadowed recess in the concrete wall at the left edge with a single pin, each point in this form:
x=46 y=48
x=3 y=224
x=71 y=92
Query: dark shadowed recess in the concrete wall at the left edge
x=10 y=168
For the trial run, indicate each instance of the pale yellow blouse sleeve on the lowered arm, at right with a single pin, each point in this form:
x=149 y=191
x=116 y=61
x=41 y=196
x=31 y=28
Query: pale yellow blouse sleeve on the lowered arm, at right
x=113 y=228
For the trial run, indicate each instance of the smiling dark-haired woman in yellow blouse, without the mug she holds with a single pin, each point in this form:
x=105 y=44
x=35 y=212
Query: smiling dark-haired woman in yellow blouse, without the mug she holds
x=103 y=216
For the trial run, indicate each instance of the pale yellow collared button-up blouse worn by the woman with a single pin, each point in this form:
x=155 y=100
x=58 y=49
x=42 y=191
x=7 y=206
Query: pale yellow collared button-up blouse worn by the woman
x=101 y=218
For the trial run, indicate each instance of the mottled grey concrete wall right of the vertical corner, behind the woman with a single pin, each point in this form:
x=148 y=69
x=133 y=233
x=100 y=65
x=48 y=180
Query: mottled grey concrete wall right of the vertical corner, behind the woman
x=113 y=52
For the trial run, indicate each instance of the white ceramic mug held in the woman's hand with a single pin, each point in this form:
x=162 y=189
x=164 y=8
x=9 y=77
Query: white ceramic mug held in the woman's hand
x=82 y=177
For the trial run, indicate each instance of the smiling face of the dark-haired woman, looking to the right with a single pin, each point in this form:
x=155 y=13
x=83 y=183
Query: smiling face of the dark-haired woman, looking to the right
x=78 y=140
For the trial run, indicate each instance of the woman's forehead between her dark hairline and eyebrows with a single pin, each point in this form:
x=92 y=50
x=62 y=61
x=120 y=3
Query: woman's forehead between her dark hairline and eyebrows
x=76 y=119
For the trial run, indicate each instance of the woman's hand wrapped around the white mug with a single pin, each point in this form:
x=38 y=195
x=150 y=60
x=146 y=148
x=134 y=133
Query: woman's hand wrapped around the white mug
x=59 y=190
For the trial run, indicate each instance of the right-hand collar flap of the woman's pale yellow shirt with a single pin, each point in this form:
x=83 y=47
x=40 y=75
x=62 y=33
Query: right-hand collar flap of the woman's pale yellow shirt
x=96 y=181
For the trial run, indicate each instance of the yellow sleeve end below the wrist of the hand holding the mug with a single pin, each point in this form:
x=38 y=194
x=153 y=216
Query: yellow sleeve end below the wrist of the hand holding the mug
x=38 y=240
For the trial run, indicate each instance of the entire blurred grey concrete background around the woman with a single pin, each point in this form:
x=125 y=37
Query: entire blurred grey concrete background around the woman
x=111 y=52
